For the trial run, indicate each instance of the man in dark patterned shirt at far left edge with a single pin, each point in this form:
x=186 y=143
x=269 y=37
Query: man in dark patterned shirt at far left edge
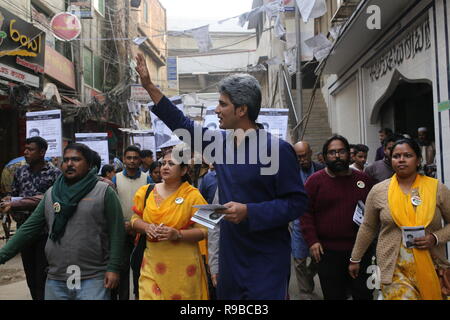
x=30 y=183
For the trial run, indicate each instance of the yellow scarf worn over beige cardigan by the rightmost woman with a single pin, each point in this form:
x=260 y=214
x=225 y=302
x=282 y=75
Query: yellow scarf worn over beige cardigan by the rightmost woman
x=404 y=215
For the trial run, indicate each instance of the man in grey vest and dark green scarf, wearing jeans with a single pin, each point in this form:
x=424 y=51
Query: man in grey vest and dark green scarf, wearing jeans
x=85 y=223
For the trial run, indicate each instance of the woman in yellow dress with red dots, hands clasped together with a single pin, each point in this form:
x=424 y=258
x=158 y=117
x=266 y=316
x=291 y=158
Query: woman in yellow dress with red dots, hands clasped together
x=172 y=266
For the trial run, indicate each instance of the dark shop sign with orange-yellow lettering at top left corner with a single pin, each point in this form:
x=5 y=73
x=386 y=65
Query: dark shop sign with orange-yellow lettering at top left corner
x=21 y=44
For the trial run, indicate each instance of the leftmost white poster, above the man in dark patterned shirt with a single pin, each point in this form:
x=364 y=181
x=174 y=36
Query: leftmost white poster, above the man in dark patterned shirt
x=46 y=124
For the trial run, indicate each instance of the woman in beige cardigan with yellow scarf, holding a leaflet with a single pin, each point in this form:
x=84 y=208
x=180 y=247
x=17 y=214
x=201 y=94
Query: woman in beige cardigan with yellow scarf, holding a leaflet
x=407 y=200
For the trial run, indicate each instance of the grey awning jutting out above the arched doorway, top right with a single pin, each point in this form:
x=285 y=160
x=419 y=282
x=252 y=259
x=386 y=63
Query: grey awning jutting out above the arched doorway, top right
x=356 y=37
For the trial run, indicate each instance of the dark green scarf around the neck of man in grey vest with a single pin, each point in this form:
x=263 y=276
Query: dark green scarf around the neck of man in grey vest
x=66 y=198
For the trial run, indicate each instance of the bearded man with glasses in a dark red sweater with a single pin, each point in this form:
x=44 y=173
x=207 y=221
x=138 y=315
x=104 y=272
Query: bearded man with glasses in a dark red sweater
x=328 y=226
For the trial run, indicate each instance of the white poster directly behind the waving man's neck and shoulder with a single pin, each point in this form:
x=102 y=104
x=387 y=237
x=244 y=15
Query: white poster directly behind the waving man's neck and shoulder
x=275 y=121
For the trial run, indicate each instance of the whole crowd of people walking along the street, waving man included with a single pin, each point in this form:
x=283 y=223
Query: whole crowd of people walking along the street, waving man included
x=333 y=217
